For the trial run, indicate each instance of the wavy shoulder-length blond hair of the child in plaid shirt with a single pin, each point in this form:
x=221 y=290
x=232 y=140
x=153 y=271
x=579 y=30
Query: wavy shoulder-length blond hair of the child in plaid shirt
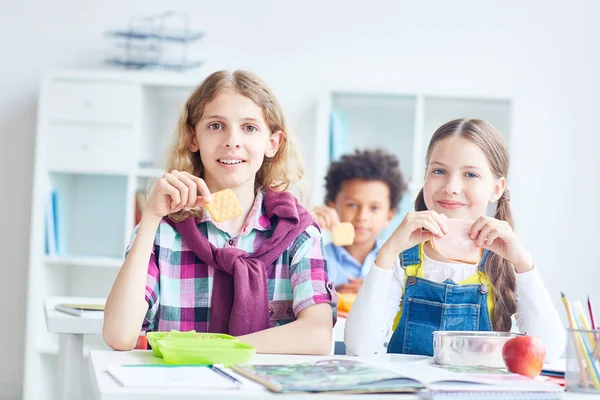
x=277 y=173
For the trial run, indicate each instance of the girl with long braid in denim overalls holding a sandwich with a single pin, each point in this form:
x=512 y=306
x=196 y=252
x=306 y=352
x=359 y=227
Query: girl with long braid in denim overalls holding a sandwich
x=414 y=290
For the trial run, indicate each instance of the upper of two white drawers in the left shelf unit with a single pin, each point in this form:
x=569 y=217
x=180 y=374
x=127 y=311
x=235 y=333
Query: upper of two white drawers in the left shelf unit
x=110 y=103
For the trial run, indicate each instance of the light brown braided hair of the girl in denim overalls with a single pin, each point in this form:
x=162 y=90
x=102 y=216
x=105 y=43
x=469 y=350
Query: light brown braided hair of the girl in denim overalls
x=499 y=270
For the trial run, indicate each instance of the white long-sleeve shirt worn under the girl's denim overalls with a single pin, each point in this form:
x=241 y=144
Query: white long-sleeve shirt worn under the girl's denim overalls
x=370 y=320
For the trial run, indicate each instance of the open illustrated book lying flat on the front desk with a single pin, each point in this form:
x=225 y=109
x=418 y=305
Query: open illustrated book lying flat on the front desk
x=353 y=376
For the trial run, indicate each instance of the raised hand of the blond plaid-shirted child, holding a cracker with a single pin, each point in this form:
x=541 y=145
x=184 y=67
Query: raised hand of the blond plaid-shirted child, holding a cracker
x=176 y=191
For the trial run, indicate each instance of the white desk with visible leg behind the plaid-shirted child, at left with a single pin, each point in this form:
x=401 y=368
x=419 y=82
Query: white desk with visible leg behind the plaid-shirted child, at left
x=71 y=330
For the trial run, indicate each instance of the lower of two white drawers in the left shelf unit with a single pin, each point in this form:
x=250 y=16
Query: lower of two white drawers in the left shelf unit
x=89 y=149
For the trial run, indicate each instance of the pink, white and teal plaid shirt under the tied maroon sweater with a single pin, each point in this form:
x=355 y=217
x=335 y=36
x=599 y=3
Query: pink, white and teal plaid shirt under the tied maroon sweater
x=179 y=288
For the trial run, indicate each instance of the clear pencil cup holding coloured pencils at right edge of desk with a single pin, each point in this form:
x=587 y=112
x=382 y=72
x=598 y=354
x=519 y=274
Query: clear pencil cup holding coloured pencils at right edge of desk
x=583 y=361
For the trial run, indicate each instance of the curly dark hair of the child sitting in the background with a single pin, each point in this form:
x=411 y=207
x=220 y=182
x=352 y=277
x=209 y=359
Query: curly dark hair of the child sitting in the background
x=370 y=165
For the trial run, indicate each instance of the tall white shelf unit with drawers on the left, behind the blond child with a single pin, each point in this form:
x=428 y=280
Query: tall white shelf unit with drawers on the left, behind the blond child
x=101 y=136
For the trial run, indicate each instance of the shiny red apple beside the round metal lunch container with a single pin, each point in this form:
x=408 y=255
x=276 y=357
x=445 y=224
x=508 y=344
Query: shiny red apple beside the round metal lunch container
x=524 y=355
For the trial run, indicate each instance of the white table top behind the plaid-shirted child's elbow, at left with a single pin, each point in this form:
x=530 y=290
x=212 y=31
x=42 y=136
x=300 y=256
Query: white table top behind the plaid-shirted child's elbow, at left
x=60 y=322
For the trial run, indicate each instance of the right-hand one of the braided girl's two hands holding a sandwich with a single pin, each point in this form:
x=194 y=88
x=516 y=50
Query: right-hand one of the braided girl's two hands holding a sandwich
x=498 y=237
